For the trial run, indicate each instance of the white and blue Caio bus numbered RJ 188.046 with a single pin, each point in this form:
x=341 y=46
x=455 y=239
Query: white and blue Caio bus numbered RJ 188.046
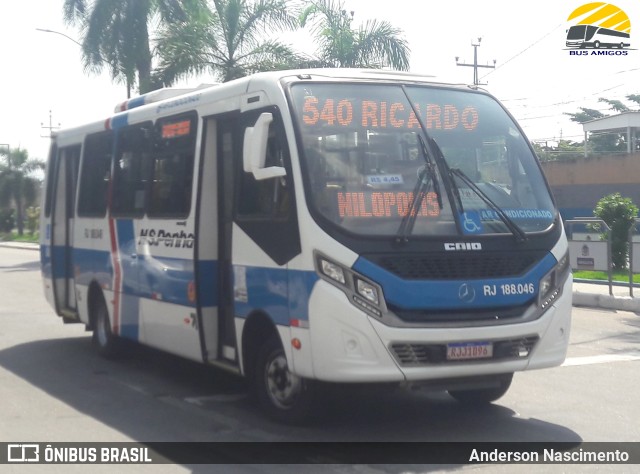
x=308 y=227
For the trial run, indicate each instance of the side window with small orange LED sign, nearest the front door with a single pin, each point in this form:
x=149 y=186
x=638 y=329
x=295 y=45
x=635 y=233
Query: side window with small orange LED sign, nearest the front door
x=172 y=167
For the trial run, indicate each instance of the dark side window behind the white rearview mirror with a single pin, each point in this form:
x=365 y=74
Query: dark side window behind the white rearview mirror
x=269 y=198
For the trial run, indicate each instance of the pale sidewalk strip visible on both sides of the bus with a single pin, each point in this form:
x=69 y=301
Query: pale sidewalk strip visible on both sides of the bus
x=592 y=295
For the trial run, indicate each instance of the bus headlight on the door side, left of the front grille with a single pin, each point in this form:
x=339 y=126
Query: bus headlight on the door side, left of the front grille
x=363 y=293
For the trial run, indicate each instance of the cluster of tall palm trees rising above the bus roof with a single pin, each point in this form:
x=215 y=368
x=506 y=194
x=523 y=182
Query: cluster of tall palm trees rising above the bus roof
x=151 y=43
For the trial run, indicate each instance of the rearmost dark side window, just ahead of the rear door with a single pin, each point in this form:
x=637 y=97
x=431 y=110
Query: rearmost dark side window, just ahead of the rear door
x=95 y=173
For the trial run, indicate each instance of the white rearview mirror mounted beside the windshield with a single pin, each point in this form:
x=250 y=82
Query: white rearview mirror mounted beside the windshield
x=255 y=150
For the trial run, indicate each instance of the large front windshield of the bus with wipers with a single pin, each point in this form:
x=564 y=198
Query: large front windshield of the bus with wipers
x=369 y=165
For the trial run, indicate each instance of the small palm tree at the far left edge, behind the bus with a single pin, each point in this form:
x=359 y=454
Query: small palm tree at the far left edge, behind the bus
x=17 y=184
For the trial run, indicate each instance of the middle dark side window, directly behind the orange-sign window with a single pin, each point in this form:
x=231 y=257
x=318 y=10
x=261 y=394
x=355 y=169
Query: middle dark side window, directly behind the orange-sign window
x=131 y=170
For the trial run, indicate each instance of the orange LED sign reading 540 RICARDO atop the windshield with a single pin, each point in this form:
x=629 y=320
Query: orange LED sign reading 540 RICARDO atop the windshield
x=382 y=114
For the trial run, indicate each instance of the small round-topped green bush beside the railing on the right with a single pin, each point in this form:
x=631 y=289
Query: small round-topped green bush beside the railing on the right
x=619 y=213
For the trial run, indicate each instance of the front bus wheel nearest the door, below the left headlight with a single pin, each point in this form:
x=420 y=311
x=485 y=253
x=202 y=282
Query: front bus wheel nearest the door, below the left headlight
x=283 y=396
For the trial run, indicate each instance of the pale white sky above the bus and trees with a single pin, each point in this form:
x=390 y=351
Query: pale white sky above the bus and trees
x=535 y=77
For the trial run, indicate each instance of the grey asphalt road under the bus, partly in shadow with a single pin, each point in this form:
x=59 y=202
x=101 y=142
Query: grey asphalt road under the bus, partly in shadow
x=55 y=388
